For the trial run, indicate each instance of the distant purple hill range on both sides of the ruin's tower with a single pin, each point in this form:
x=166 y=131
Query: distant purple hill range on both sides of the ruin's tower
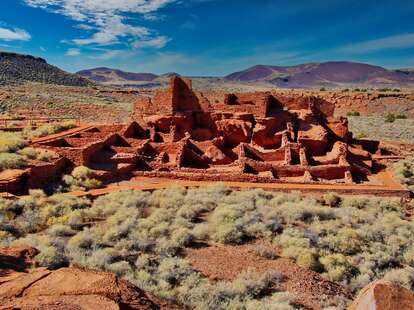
x=312 y=75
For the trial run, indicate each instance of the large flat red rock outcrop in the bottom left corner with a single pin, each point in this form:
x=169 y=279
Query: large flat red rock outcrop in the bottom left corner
x=66 y=288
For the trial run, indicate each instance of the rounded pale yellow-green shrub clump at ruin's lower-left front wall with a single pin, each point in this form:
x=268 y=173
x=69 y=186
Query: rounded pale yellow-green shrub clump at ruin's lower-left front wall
x=82 y=178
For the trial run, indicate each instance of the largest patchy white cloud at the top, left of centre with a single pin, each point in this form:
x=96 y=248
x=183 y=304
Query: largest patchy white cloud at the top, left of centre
x=107 y=19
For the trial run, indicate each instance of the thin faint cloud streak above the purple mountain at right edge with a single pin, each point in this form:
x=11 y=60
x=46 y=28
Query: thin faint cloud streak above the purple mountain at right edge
x=370 y=46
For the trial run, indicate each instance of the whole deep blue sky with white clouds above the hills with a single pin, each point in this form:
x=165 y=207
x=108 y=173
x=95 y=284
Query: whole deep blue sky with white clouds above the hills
x=208 y=37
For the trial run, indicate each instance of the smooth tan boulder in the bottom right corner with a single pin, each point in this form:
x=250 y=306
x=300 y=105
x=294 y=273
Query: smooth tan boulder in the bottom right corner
x=383 y=295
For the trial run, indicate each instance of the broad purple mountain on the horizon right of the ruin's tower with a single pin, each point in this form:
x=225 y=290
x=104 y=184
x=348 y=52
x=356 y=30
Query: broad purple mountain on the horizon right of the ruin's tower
x=335 y=73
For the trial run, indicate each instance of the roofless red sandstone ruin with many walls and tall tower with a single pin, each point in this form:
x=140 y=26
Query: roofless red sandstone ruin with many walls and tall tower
x=255 y=137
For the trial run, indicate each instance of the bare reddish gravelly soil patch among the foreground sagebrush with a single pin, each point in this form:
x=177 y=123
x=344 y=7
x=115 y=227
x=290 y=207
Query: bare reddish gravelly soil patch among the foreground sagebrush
x=220 y=262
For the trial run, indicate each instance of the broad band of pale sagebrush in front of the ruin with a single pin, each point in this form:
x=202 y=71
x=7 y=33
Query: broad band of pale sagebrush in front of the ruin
x=140 y=236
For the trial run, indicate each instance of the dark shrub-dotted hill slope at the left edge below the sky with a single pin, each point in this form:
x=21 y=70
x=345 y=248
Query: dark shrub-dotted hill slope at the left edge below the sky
x=17 y=68
